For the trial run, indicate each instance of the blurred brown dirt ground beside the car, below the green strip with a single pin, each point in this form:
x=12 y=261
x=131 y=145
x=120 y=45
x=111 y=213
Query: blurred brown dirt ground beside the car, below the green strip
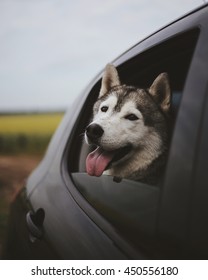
x=13 y=172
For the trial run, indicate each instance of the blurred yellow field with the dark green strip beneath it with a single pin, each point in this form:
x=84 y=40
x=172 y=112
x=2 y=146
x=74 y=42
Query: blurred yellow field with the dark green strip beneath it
x=27 y=133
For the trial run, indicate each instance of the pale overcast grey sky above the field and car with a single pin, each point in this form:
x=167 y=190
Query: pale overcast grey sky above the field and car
x=51 y=49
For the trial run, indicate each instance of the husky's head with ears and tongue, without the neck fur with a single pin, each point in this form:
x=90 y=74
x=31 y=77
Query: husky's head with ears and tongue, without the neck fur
x=125 y=118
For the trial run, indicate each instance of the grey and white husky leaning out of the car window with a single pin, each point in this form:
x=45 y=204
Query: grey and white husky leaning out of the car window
x=129 y=128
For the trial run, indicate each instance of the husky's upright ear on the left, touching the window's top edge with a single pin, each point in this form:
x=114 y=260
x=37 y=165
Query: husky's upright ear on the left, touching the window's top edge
x=109 y=80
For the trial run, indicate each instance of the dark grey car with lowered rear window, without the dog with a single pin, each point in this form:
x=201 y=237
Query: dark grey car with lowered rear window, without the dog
x=63 y=213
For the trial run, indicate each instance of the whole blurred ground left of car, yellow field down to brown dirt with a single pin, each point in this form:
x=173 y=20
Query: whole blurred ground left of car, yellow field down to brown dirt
x=23 y=141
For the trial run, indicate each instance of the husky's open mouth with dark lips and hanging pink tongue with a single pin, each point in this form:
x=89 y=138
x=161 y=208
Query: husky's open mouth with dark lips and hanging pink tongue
x=99 y=160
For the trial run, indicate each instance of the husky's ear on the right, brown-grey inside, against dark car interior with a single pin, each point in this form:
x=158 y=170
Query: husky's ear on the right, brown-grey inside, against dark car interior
x=161 y=92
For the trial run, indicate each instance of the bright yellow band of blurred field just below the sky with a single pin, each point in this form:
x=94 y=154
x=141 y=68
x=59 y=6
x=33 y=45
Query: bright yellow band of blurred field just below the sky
x=30 y=124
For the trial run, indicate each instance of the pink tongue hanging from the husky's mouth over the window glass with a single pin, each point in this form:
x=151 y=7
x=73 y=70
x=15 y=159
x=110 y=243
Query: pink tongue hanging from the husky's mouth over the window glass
x=97 y=162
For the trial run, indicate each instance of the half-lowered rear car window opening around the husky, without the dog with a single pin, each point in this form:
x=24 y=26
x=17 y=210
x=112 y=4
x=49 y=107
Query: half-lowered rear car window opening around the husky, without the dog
x=131 y=206
